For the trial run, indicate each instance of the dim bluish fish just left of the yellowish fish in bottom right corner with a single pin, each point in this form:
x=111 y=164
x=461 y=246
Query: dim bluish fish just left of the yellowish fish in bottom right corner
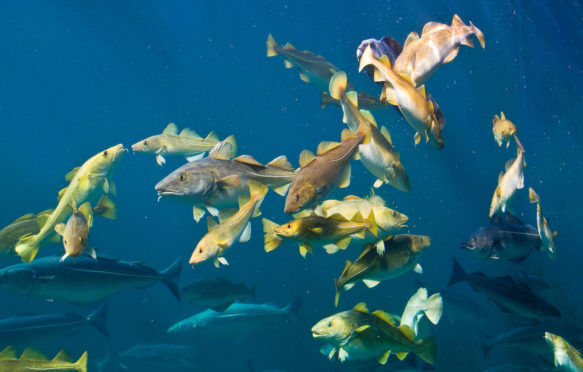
x=529 y=338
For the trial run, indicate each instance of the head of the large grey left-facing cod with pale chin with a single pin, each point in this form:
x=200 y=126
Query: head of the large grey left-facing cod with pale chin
x=186 y=183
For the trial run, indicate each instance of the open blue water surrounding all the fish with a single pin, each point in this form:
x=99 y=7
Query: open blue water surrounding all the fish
x=78 y=77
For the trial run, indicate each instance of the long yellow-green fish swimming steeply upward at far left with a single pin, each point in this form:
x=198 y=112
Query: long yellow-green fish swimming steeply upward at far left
x=92 y=179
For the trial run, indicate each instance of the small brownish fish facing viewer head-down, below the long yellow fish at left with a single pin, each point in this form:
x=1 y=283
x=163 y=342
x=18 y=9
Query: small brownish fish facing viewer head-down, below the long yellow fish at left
x=76 y=232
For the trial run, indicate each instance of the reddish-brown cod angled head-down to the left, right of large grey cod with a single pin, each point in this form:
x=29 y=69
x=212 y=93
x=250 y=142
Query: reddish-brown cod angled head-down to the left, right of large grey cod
x=321 y=173
